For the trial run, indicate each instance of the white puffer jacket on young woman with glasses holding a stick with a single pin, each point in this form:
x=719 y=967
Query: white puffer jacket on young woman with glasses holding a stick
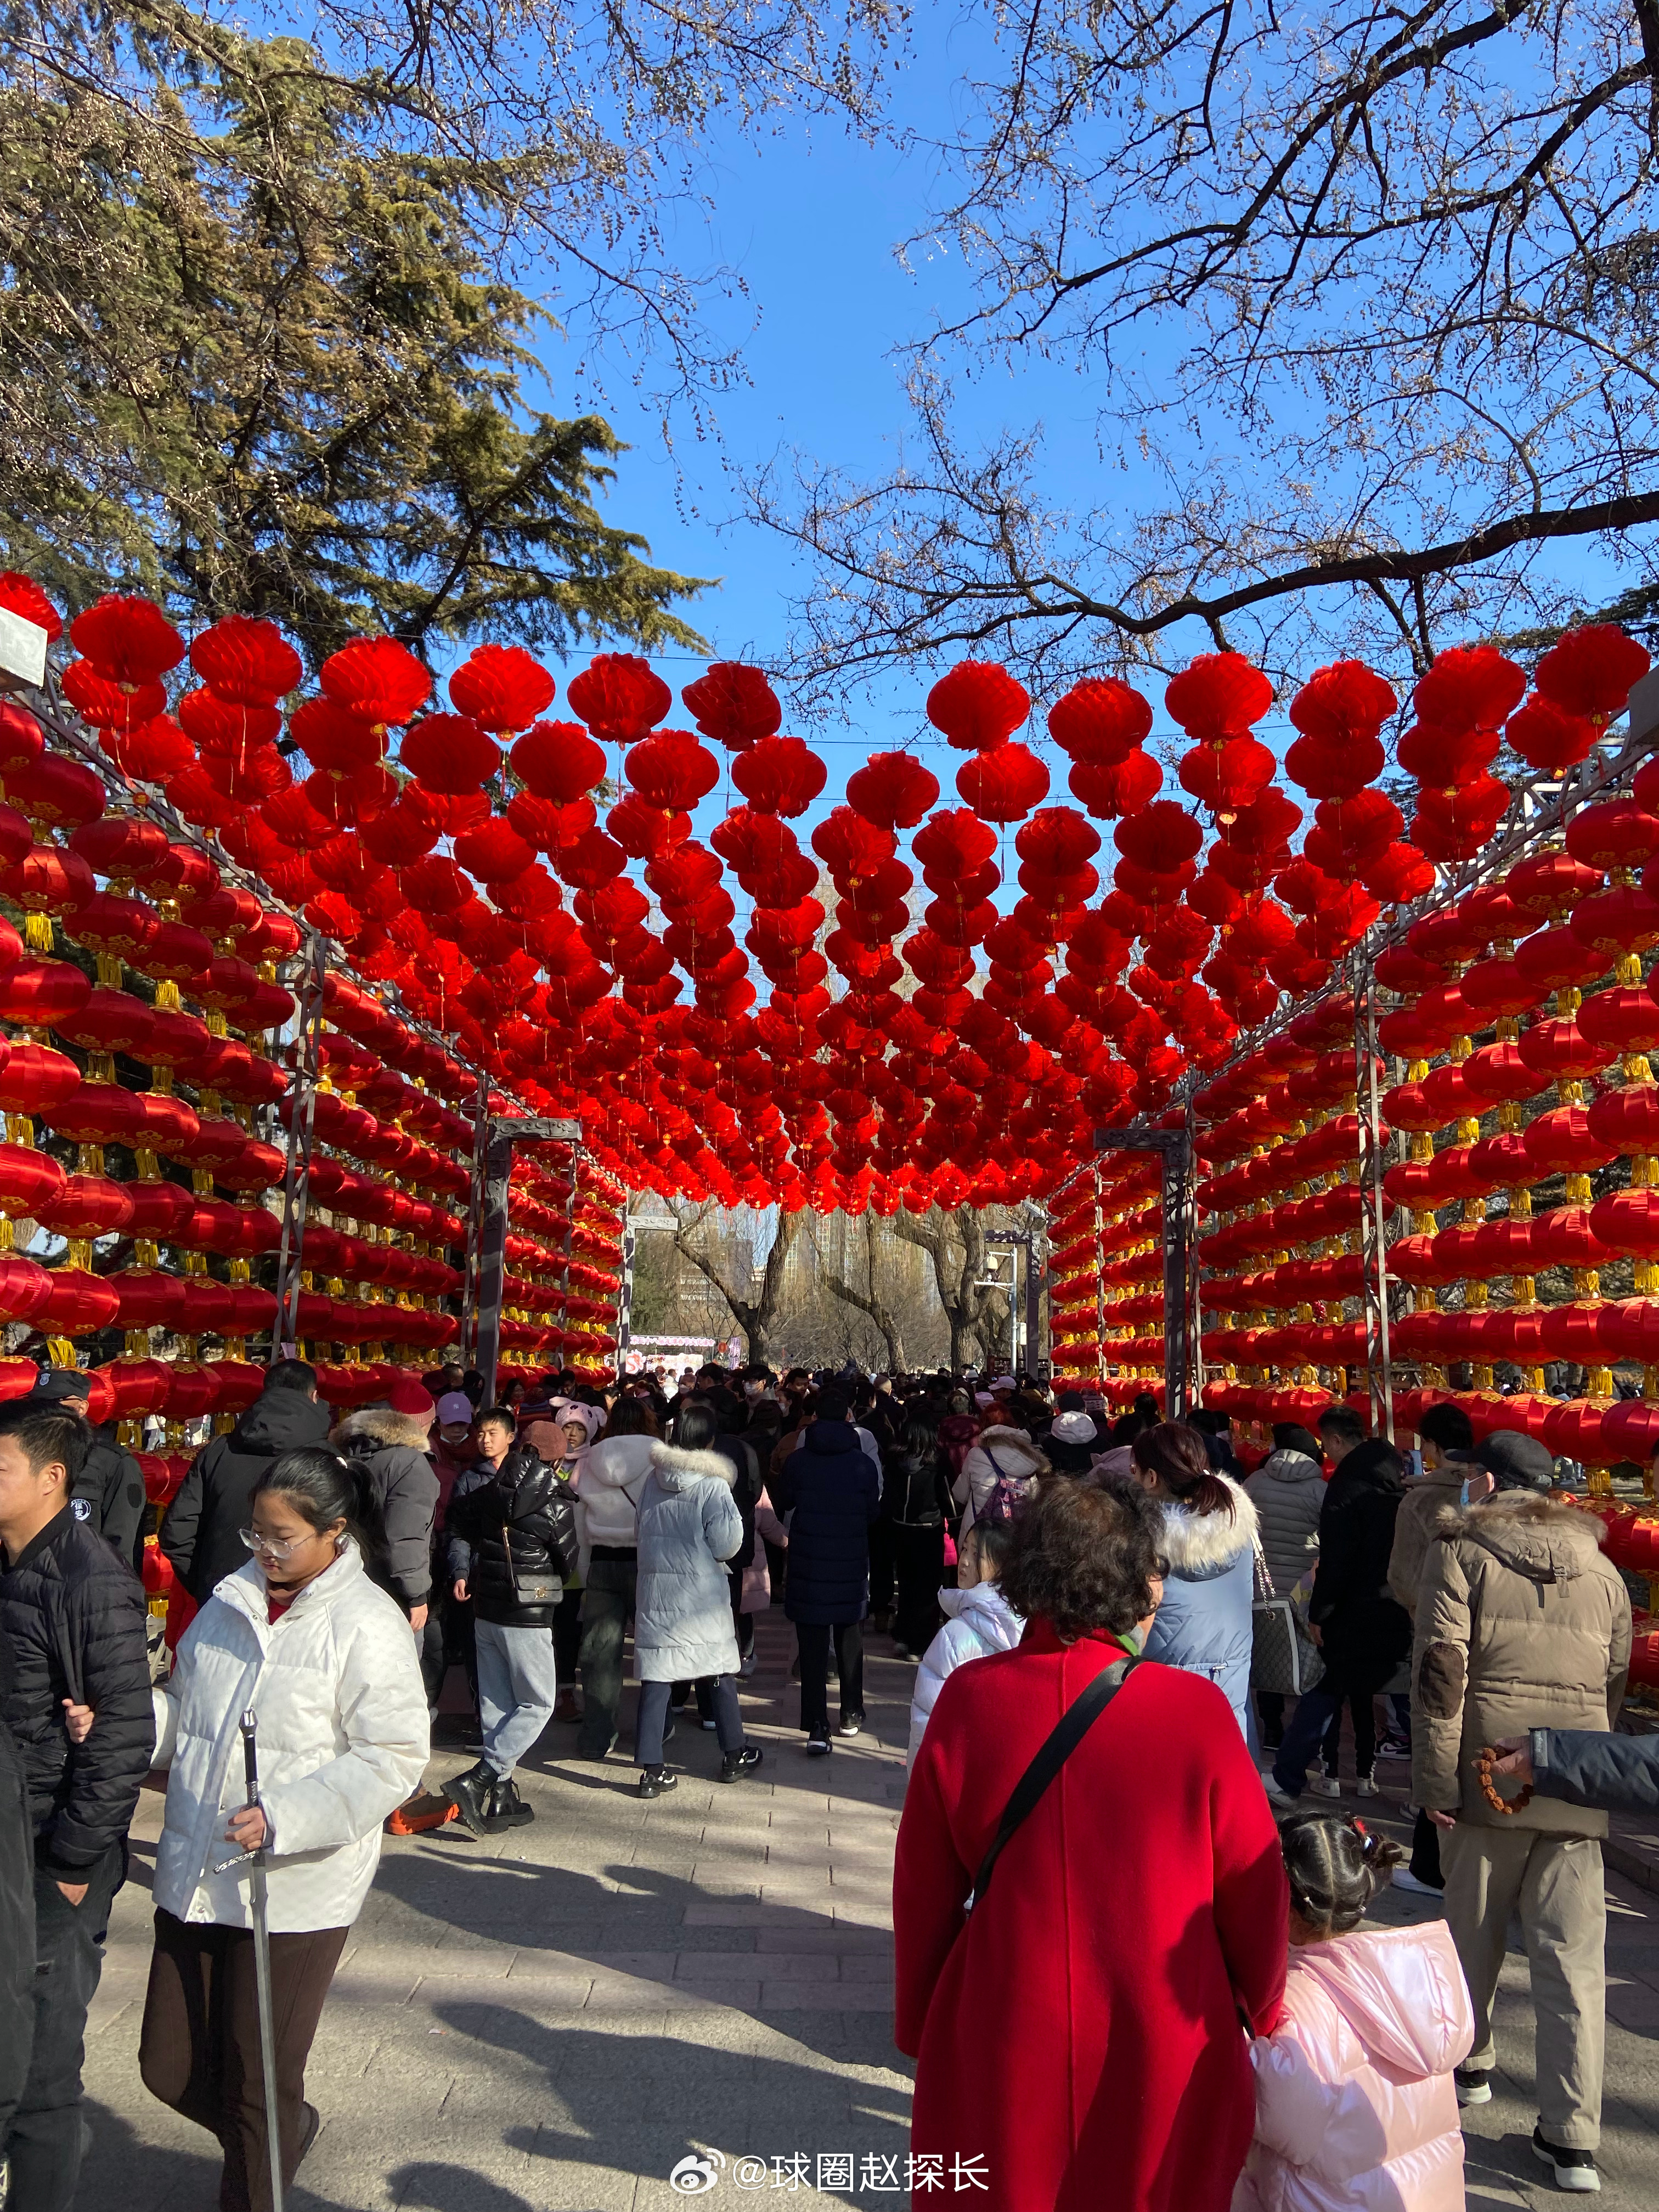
x=342 y=1744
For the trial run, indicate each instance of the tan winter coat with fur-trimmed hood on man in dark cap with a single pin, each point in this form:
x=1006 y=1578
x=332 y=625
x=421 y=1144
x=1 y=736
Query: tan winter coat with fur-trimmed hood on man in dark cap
x=1523 y=1625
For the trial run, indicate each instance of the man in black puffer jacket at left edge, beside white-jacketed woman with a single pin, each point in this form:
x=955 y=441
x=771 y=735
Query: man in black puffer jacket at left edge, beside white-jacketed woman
x=74 y=1620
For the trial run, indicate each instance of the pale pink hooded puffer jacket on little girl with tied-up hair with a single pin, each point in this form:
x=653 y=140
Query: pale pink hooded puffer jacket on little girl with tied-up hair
x=1355 y=2100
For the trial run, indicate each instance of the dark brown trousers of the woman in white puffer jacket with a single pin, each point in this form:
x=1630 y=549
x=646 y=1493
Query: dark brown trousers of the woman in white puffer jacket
x=200 y=2041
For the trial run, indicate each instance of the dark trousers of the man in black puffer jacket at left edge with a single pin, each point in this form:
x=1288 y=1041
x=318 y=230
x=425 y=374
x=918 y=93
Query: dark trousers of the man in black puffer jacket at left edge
x=45 y=2145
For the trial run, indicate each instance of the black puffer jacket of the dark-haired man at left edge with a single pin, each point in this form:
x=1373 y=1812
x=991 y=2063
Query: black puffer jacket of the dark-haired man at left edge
x=74 y=1616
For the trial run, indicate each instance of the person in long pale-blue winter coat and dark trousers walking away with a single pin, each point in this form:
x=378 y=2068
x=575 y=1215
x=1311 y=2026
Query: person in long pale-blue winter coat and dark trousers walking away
x=682 y=1627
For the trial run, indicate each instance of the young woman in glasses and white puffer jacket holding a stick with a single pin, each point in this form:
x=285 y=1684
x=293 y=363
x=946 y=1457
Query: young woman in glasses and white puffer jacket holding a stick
x=324 y=1658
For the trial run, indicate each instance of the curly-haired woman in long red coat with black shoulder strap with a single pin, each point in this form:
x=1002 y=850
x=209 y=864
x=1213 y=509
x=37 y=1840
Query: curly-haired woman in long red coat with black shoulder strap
x=1081 y=2036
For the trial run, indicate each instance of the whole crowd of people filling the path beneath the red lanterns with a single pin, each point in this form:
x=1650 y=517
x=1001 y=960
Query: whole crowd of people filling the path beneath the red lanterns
x=1189 y=1999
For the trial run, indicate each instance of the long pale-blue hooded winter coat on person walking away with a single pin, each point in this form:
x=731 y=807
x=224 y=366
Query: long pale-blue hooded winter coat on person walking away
x=689 y=1530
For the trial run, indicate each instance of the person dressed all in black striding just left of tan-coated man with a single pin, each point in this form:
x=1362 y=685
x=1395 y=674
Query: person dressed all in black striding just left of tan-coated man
x=1364 y=1634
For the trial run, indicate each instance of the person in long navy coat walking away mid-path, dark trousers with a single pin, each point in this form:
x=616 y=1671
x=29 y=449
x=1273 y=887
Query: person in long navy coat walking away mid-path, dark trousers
x=828 y=1494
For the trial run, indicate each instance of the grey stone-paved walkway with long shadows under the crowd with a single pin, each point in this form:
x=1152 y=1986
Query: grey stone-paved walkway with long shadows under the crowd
x=550 y=2021
